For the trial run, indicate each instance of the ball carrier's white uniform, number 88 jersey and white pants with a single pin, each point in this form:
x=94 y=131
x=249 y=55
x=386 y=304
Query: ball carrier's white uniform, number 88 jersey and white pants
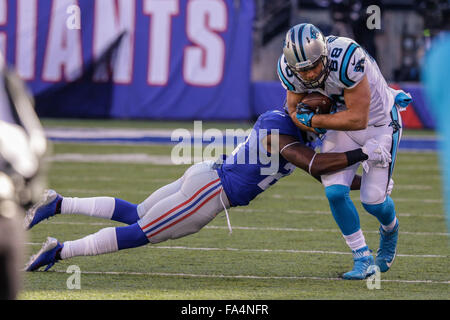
x=349 y=63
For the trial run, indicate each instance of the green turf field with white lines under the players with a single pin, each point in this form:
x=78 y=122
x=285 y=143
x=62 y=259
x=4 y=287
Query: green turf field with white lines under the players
x=285 y=245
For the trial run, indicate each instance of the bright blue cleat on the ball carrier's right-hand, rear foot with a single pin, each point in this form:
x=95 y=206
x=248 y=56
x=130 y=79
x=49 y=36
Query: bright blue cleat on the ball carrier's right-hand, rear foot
x=388 y=248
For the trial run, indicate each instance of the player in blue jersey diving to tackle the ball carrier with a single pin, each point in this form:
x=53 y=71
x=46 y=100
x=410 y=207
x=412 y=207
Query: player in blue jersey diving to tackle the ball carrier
x=189 y=203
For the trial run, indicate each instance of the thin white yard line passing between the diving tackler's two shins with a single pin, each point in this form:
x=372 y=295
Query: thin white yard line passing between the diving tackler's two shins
x=260 y=228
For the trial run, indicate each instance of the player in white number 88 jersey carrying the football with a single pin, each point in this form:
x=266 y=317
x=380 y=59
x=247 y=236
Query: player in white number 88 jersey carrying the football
x=366 y=108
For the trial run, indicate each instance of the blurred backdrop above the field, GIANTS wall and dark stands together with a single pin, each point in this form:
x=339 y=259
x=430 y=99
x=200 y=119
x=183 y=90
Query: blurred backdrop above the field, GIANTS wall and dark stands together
x=197 y=60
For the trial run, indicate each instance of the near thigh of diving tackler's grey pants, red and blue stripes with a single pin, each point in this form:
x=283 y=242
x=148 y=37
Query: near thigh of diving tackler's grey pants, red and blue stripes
x=190 y=209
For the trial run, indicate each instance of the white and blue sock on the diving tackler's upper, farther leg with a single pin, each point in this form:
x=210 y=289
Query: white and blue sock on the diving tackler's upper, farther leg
x=101 y=207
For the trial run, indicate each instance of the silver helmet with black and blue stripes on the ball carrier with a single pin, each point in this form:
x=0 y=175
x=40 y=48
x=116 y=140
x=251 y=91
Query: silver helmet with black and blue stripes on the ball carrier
x=304 y=48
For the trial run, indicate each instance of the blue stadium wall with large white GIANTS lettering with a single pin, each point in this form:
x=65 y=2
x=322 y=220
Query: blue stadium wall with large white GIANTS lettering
x=144 y=59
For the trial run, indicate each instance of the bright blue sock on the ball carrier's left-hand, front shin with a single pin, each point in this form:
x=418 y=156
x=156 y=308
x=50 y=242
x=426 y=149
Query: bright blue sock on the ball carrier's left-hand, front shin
x=343 y=209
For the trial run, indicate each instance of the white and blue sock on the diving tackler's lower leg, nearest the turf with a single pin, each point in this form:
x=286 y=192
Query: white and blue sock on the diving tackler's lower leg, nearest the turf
x=106 y=240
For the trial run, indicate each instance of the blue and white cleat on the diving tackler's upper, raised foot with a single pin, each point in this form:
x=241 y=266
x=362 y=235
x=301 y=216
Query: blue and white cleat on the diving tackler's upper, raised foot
x=44 y=209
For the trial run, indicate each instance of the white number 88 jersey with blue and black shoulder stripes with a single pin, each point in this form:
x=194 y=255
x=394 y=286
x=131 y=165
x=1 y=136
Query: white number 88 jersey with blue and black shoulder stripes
x=348 y=65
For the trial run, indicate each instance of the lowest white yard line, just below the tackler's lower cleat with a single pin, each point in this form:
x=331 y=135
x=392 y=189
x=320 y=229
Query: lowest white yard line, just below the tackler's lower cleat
x=223 y=276
